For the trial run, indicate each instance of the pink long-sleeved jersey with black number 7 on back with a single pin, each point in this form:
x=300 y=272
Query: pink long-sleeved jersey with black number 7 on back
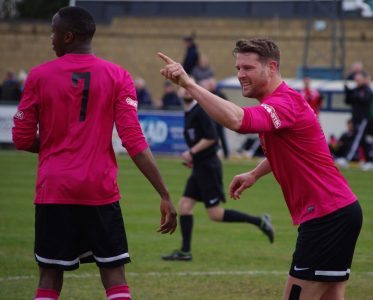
x=74 y=102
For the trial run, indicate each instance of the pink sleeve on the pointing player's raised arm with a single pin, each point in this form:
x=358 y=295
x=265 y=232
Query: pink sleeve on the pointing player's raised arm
x=274 y=114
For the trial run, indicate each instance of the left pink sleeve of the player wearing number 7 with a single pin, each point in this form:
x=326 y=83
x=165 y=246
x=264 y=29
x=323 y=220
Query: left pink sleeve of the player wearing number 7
x=24 y=131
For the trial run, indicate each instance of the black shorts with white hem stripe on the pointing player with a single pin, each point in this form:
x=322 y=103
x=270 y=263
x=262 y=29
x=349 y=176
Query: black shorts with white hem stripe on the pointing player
x=325 y=246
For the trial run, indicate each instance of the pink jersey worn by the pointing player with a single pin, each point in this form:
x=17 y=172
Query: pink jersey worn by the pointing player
x=297 y=151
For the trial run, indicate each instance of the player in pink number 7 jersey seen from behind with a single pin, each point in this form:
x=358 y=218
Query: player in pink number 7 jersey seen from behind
x=68 y=109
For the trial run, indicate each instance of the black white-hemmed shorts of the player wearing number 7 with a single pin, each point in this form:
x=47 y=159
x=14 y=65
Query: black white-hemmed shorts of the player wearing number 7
x=66 y=235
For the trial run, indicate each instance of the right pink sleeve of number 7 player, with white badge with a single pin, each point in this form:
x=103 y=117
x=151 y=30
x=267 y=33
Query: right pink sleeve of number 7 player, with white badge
x=126 y=119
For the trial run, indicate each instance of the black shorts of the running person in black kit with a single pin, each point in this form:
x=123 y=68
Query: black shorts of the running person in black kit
x=206 y=182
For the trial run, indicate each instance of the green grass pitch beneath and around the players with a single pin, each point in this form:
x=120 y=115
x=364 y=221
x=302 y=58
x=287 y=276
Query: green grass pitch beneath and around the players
x=230 y=261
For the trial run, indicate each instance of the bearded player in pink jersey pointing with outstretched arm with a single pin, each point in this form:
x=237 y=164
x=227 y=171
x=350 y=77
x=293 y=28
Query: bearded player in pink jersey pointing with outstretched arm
x=317 y=195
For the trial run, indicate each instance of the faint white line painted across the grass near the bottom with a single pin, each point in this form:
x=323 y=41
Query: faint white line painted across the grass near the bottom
x=180 y=274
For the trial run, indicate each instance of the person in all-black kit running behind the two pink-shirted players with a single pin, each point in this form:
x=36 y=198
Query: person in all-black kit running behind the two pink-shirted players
x=205 y=184
